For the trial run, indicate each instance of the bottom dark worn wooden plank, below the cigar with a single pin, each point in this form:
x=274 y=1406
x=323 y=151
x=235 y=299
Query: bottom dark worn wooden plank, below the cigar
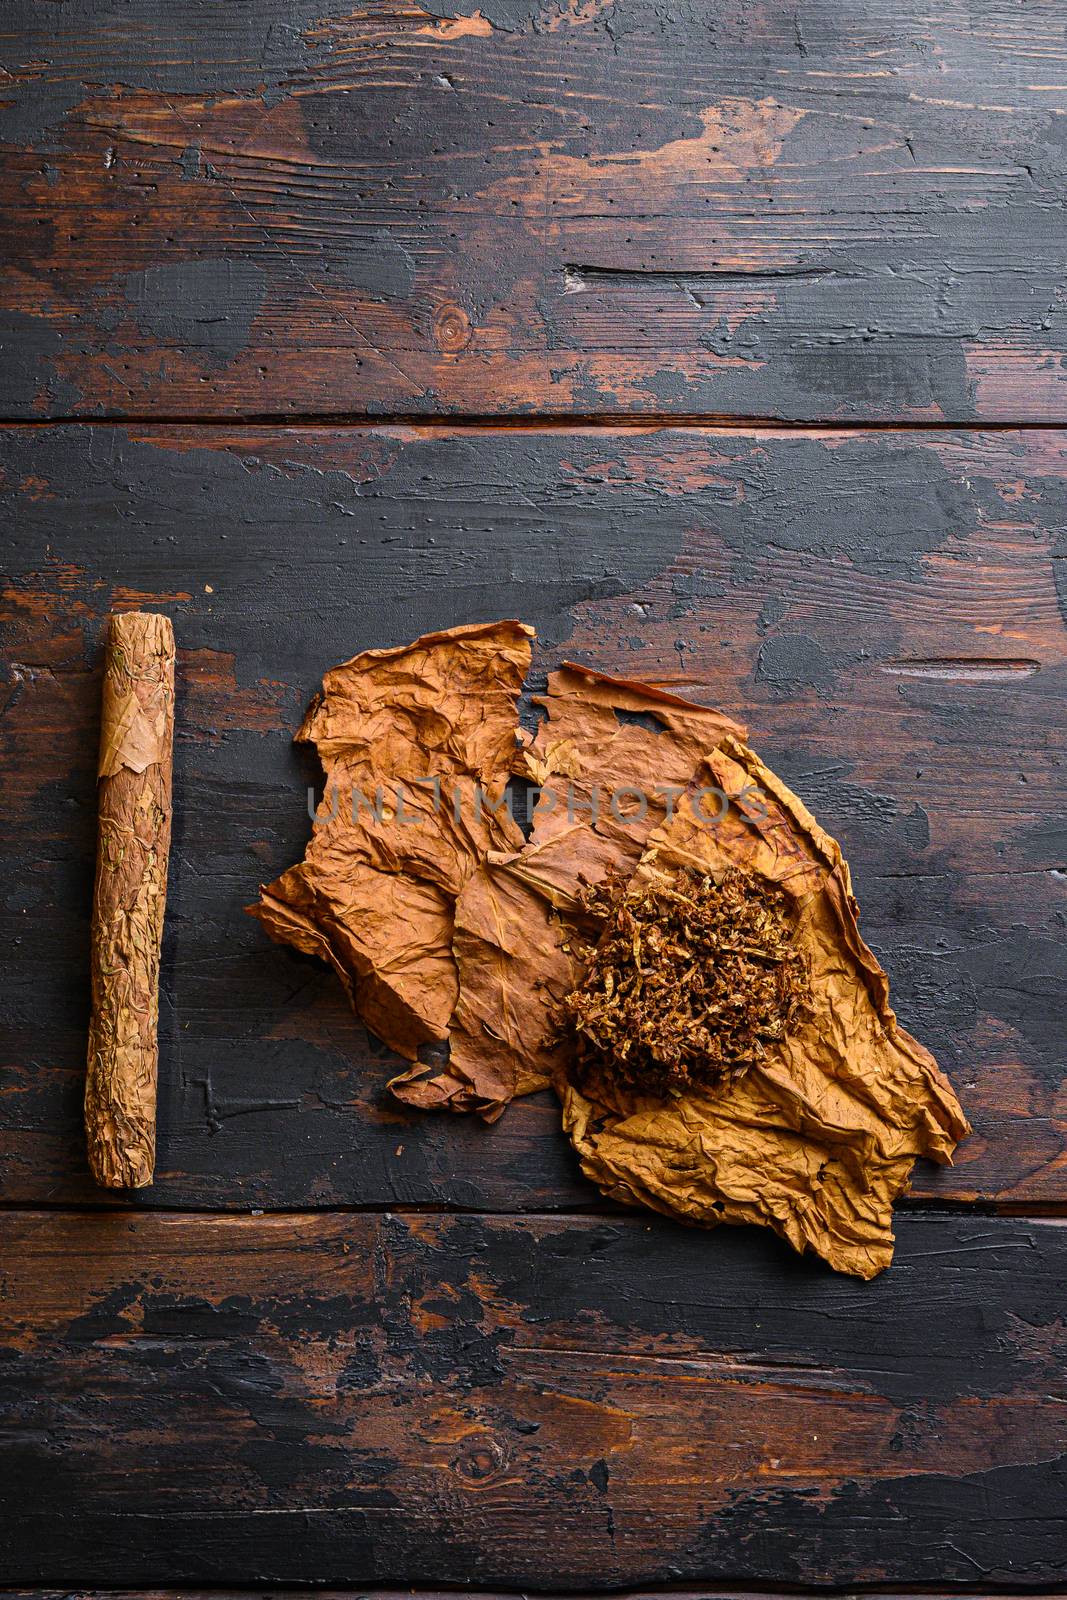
x=538 y=1402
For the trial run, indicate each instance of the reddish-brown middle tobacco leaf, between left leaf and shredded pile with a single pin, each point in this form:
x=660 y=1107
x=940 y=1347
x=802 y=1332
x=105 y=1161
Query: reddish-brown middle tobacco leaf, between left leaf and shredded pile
x=602 y=740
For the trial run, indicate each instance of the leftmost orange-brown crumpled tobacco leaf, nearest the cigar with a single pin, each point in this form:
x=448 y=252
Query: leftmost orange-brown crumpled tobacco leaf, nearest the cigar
x=378 y=884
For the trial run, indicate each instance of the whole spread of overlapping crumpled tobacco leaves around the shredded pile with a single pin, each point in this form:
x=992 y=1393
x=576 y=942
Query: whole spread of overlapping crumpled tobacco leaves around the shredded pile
x=457 y=934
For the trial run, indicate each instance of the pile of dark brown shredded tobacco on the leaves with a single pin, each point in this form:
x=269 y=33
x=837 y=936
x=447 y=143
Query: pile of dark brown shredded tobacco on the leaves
x=692 y=980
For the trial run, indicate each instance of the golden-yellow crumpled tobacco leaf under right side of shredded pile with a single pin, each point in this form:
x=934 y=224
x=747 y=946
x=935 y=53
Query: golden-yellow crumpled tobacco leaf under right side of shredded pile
x=820 y=1138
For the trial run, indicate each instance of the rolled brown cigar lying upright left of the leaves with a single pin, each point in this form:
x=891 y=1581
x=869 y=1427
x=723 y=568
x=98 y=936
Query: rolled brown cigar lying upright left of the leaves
x=130 y=897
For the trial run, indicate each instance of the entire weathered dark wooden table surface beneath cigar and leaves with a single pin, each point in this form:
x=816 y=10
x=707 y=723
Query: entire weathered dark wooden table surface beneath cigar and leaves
x=727 y=343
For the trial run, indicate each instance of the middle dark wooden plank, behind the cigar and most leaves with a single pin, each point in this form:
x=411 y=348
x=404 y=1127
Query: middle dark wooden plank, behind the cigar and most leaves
x=881 y=610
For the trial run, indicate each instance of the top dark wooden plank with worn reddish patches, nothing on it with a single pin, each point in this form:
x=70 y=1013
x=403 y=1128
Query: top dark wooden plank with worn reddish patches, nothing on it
x=562 y=206
